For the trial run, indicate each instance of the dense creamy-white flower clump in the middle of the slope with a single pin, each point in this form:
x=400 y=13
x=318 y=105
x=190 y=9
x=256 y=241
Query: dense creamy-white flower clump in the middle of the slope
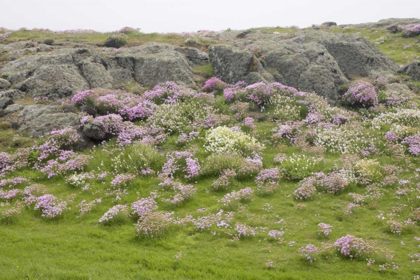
x=224 y=140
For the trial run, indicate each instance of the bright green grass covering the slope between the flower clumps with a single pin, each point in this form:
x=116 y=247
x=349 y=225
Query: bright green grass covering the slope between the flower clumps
x=79 y=248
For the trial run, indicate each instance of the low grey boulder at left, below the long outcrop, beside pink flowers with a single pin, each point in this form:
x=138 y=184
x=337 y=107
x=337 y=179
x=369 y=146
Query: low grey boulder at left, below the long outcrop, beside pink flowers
x=39 y=120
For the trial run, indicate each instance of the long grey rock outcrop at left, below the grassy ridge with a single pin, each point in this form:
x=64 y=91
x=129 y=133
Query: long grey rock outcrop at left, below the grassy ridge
x=63 y=72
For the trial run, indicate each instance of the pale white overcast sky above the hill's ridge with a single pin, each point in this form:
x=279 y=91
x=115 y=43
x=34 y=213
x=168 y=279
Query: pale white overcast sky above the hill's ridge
x=193 y=15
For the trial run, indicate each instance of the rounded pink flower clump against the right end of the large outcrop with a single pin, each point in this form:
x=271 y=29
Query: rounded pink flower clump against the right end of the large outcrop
x=362 y=94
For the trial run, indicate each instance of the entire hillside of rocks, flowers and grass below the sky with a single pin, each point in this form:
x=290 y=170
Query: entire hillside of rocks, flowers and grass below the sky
x=267 y=153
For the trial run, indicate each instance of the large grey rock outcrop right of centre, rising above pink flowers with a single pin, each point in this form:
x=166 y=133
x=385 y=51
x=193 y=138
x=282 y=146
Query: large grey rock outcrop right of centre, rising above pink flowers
x=313 y=61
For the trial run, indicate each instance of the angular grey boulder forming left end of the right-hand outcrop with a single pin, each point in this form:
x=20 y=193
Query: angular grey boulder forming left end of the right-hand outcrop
x=232 y=65
